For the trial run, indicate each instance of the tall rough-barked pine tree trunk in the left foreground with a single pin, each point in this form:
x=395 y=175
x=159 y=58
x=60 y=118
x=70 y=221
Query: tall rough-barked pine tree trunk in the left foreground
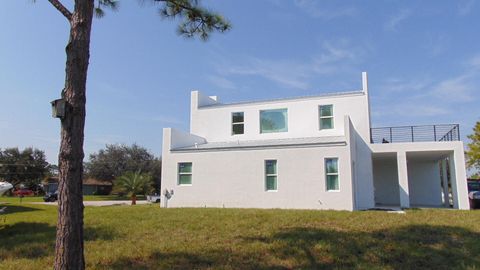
x=69 y=241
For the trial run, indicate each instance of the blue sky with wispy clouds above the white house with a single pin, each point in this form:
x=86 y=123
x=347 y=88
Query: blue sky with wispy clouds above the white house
x=422 y=57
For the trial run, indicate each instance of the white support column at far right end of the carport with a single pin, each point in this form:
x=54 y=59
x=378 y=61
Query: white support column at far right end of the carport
x=458 y=179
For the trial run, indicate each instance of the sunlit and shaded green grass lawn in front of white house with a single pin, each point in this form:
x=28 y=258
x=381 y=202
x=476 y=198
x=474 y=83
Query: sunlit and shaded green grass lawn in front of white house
x=147 y=237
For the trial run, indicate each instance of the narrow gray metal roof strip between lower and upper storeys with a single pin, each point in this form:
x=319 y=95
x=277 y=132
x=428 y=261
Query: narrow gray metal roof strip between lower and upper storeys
x=256 y=144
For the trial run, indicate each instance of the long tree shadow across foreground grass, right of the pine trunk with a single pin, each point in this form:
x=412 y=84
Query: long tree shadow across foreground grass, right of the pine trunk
x=409 y=247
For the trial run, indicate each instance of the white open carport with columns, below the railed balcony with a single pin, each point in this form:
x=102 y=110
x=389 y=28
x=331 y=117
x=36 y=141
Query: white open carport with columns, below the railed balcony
x=416 y=175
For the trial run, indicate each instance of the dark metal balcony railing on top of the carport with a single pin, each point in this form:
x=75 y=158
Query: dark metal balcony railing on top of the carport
x=427 y=133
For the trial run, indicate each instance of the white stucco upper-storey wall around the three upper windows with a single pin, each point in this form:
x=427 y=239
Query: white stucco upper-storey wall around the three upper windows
x=214 y=122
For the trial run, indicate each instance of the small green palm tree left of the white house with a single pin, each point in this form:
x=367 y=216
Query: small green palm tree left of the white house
x=133 y=183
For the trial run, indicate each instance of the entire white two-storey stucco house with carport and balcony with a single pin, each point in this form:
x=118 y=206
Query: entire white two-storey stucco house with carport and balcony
x=316 y=152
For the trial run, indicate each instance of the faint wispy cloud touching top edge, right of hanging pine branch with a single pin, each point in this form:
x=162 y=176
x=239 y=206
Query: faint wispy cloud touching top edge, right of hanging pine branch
x=312 y=8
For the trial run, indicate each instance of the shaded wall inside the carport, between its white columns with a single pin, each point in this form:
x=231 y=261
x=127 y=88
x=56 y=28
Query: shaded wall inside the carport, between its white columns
x=424 y=183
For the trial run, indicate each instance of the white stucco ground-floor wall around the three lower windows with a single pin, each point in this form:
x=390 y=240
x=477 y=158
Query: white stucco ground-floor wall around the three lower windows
x=237 y=179
